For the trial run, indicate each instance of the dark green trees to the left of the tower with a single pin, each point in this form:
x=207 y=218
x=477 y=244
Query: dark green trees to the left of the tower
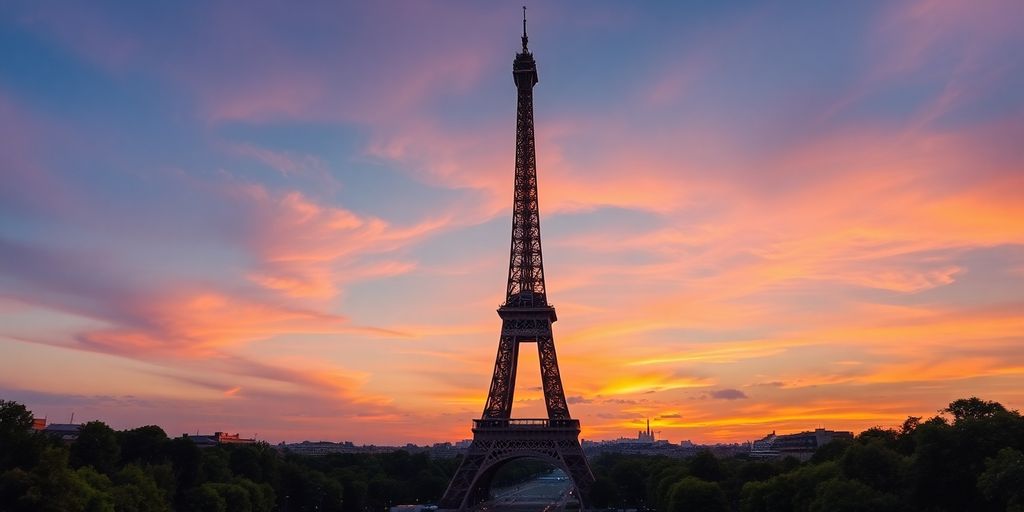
x=143 y=471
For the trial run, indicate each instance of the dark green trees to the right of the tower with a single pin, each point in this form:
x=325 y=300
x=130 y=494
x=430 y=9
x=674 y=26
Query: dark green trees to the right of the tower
x=969 y=457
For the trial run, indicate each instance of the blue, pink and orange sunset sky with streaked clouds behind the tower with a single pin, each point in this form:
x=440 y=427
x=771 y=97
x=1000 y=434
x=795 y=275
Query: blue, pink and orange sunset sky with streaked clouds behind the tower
x=291 y=220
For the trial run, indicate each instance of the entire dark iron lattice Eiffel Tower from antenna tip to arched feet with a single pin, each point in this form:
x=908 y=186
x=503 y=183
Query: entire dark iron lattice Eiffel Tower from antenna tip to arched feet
x=527 y=318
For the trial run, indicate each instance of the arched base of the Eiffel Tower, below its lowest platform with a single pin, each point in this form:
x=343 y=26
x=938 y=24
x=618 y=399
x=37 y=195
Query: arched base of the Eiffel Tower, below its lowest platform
x=497 y=443
